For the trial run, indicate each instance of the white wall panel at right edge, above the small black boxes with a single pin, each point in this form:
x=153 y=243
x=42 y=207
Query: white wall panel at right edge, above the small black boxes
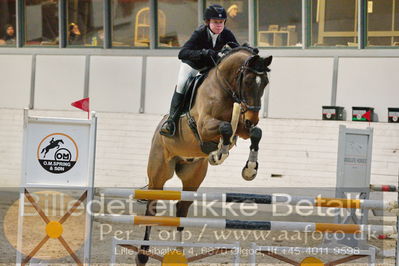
x=370 y=82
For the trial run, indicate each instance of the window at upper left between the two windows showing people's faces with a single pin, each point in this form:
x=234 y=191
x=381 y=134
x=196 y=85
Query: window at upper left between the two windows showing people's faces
x=41 y=22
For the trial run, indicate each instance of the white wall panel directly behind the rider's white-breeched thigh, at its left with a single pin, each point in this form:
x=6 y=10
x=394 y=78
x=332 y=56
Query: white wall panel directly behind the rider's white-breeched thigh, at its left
x=161 y=79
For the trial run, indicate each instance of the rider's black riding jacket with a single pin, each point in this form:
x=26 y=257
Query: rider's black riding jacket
x=201 y=39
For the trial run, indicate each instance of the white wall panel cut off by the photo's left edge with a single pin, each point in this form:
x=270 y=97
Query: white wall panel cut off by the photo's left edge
x=15 y=76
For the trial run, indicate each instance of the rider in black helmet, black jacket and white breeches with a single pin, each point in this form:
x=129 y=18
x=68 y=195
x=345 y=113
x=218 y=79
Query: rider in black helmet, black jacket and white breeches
x=199 y=54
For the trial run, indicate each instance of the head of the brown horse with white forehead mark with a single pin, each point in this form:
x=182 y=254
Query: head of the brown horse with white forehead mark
x=250 y=85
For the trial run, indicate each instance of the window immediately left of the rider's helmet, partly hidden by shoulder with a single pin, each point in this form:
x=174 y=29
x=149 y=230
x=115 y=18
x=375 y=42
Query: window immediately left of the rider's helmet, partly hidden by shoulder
x=176 y=21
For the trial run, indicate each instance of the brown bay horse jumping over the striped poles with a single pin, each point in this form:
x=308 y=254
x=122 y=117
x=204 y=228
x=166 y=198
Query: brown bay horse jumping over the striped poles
x=207 y=132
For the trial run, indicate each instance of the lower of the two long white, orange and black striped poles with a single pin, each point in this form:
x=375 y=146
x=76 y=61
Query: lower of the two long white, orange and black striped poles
x=245 y=225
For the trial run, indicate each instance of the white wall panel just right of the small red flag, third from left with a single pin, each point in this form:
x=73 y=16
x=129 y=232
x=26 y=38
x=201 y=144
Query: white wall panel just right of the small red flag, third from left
x=115 y=83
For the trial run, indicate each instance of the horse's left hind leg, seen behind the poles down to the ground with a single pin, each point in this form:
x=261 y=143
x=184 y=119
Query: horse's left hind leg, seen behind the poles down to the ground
x=159 y=170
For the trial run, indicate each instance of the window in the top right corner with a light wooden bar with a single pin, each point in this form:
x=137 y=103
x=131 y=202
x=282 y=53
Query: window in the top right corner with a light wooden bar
x=383 y=23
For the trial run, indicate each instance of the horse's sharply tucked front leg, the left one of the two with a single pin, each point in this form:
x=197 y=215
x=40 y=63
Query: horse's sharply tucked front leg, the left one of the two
x=217 y=157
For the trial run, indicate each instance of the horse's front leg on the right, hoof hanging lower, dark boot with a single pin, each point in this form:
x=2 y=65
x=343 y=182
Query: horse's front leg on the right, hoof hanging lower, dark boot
x=251 y=167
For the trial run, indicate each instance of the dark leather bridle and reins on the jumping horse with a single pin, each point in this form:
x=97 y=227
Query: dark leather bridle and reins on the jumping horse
x=239 y=97
